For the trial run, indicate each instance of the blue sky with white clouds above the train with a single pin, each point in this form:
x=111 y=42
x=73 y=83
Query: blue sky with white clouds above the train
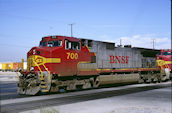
x=136 y=22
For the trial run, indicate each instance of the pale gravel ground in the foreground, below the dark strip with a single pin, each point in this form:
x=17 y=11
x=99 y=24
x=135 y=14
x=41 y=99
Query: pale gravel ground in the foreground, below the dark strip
x=152 y=101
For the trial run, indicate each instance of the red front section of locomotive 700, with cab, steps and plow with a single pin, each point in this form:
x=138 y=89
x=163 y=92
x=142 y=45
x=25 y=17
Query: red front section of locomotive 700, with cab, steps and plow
x=57 y=57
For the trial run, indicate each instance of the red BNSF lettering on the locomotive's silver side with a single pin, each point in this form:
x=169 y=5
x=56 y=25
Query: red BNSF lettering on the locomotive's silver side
x=119 y=59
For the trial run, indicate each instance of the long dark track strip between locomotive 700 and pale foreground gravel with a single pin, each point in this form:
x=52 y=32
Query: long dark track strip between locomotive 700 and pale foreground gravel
x=29 y=103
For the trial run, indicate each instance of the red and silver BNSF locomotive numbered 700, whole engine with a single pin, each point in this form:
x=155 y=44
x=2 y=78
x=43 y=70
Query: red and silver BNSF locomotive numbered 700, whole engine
x=71 y=63
